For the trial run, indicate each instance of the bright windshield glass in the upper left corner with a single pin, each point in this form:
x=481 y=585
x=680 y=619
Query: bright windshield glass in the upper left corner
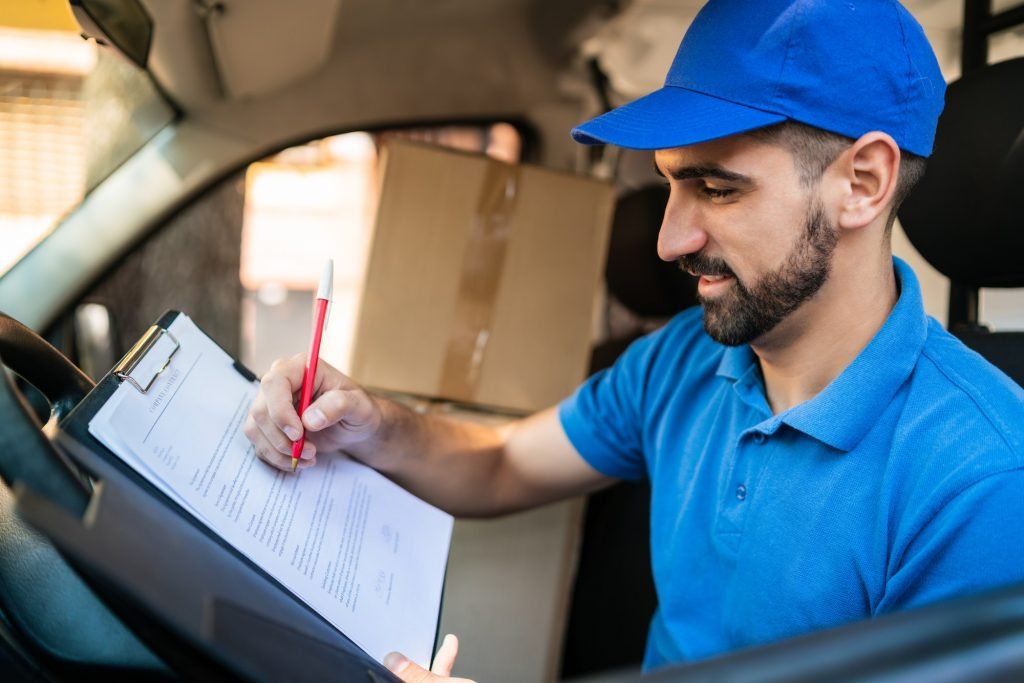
x=70 y=114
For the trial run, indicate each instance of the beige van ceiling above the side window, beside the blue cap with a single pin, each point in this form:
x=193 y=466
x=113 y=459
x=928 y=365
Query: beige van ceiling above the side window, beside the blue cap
x=251 y=68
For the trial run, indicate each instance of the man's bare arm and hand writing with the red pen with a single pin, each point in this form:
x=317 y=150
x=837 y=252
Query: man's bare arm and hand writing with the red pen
x=466 y=469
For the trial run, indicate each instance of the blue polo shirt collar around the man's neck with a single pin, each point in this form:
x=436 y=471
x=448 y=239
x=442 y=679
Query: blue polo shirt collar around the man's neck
x=843 y=413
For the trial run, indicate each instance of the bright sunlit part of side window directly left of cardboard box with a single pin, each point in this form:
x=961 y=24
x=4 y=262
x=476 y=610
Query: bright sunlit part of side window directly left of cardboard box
x=304 y=206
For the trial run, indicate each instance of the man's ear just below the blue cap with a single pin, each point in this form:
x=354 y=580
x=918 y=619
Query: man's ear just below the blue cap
x=868 y=170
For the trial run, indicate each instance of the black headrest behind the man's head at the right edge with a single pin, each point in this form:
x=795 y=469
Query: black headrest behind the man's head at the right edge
x=967 y=216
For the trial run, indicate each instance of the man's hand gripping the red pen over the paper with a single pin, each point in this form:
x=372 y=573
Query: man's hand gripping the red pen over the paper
x=343 y=414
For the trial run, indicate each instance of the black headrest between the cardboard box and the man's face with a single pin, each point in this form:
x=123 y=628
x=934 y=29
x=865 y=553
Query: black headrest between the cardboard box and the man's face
x=643 y=282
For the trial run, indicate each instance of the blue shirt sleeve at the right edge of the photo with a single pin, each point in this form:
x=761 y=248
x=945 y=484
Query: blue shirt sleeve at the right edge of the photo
x=969 y=547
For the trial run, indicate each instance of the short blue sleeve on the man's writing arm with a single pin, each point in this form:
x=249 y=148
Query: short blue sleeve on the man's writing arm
x=605 y=418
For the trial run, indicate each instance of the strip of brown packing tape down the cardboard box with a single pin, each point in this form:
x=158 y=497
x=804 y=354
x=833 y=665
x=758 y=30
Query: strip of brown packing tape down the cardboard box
x=483 y=267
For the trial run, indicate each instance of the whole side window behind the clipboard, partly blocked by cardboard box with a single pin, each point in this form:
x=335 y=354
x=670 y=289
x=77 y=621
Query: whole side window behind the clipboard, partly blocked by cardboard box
x=244 y=259
